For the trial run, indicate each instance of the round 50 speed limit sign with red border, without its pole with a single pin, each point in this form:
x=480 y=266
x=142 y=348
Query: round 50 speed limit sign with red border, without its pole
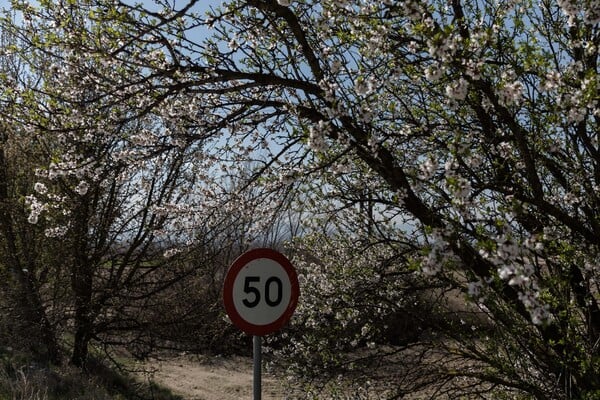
x=260 y=291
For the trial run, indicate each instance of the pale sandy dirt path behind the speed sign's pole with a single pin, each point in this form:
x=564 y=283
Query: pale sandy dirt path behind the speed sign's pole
x=213 y=379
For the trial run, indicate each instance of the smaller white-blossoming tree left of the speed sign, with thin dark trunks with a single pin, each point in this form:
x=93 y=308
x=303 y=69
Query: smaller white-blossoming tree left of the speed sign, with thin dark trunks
x=101 y=241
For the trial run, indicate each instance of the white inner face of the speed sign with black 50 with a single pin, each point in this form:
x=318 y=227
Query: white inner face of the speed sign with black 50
x=261 y=291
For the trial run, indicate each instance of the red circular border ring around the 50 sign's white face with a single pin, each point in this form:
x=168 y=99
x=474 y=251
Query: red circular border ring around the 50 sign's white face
x=236 y=267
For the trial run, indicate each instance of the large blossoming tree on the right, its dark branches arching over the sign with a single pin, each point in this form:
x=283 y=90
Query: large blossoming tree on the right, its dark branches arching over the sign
x=468 y=129
